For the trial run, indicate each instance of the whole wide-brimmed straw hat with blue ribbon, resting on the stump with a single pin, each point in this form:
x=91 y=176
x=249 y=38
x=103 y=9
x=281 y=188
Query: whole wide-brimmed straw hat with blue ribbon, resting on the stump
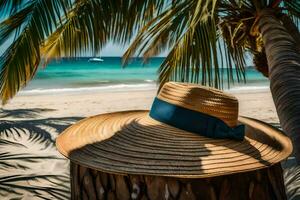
x=191 y=132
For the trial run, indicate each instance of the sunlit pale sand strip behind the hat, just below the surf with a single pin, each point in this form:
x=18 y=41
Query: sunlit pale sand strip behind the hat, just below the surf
x=257 y=104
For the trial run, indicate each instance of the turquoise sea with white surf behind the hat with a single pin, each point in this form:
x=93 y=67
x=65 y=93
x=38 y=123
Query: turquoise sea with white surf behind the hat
x=74 y=75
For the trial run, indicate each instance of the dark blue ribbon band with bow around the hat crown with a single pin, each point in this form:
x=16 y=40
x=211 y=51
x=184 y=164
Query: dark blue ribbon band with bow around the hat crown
x=193 y=121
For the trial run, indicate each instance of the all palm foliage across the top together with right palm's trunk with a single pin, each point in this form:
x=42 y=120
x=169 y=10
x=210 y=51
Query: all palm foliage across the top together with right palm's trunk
x=207 y=41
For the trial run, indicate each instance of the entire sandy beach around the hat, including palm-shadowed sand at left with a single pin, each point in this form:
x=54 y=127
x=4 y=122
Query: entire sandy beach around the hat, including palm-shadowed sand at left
x=31 y=167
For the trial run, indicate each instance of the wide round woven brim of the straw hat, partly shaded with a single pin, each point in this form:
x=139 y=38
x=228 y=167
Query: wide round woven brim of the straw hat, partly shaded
x=131 y=142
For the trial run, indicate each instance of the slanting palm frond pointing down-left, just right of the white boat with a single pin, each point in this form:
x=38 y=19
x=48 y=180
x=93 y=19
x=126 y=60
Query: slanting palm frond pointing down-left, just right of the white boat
x=161 y=32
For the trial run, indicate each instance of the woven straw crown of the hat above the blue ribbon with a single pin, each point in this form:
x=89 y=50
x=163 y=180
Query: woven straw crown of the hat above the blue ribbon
x=202 y=99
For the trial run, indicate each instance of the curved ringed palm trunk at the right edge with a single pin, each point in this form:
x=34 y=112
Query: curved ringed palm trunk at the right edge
x=284 y=74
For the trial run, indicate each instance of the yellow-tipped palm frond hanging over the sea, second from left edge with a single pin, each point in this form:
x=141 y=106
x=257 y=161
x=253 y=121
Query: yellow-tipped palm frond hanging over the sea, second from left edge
x=83 y=30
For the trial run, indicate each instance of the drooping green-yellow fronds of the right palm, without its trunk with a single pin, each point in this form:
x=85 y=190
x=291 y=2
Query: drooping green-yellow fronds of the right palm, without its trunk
x=232 y=39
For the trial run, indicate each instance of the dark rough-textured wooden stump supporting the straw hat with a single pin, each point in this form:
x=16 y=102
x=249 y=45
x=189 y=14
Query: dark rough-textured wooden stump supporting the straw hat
x=264 y=184
